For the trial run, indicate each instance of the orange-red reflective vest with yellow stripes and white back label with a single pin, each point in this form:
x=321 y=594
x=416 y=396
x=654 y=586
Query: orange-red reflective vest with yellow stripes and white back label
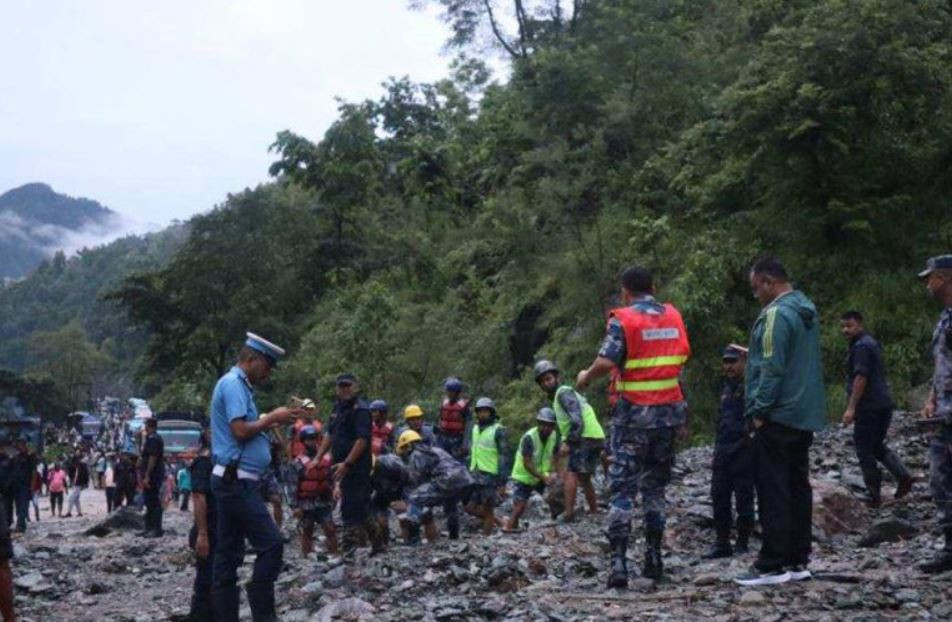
x=657 y=348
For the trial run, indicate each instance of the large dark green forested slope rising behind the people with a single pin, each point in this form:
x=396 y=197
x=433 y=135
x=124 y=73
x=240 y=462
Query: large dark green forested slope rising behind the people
x=468 y=226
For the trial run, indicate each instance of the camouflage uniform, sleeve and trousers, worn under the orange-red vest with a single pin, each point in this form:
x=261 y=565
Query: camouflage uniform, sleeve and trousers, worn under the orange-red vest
x=642 y=445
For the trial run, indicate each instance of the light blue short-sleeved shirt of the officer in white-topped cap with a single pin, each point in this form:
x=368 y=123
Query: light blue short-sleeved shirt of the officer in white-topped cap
x=234 y=399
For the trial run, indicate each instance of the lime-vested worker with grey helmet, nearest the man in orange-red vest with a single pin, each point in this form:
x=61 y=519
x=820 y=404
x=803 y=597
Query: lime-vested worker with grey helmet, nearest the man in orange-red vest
x=582 y=436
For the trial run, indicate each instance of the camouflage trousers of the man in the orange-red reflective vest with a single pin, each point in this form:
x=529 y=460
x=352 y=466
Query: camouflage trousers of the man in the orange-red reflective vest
x=641 y=462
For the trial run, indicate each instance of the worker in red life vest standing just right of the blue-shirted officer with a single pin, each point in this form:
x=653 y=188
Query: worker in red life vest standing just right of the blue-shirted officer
x=313 y=500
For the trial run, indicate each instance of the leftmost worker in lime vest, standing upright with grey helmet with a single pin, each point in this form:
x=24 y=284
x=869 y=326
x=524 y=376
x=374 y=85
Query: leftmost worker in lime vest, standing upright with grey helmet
x=488 y=462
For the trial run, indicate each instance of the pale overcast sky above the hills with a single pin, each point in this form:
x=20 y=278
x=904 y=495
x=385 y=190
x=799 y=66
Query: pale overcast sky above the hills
x=159 y=109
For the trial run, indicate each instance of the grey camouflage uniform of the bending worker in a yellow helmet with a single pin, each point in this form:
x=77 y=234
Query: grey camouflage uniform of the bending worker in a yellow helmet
x=437 y=478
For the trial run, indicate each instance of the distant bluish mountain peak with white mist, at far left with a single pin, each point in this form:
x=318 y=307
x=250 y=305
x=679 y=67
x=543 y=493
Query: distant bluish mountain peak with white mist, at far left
x=36 y=221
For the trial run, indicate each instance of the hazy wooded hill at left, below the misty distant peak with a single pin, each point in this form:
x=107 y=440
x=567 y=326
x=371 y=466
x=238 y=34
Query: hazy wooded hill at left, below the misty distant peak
x=56 y=324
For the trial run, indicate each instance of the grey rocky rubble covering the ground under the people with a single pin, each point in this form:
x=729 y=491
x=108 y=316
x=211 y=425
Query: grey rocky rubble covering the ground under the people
x=72 y=569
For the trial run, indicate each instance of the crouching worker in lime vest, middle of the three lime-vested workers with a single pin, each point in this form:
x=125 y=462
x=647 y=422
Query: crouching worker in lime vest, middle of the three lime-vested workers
x=533 y=467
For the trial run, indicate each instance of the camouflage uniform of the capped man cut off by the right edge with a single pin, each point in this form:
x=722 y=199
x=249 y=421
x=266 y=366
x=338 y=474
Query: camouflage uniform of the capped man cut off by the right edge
x=940 y=448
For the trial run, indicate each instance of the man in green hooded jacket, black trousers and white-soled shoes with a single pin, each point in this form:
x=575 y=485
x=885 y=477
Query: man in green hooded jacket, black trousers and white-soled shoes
x=785 y=398
